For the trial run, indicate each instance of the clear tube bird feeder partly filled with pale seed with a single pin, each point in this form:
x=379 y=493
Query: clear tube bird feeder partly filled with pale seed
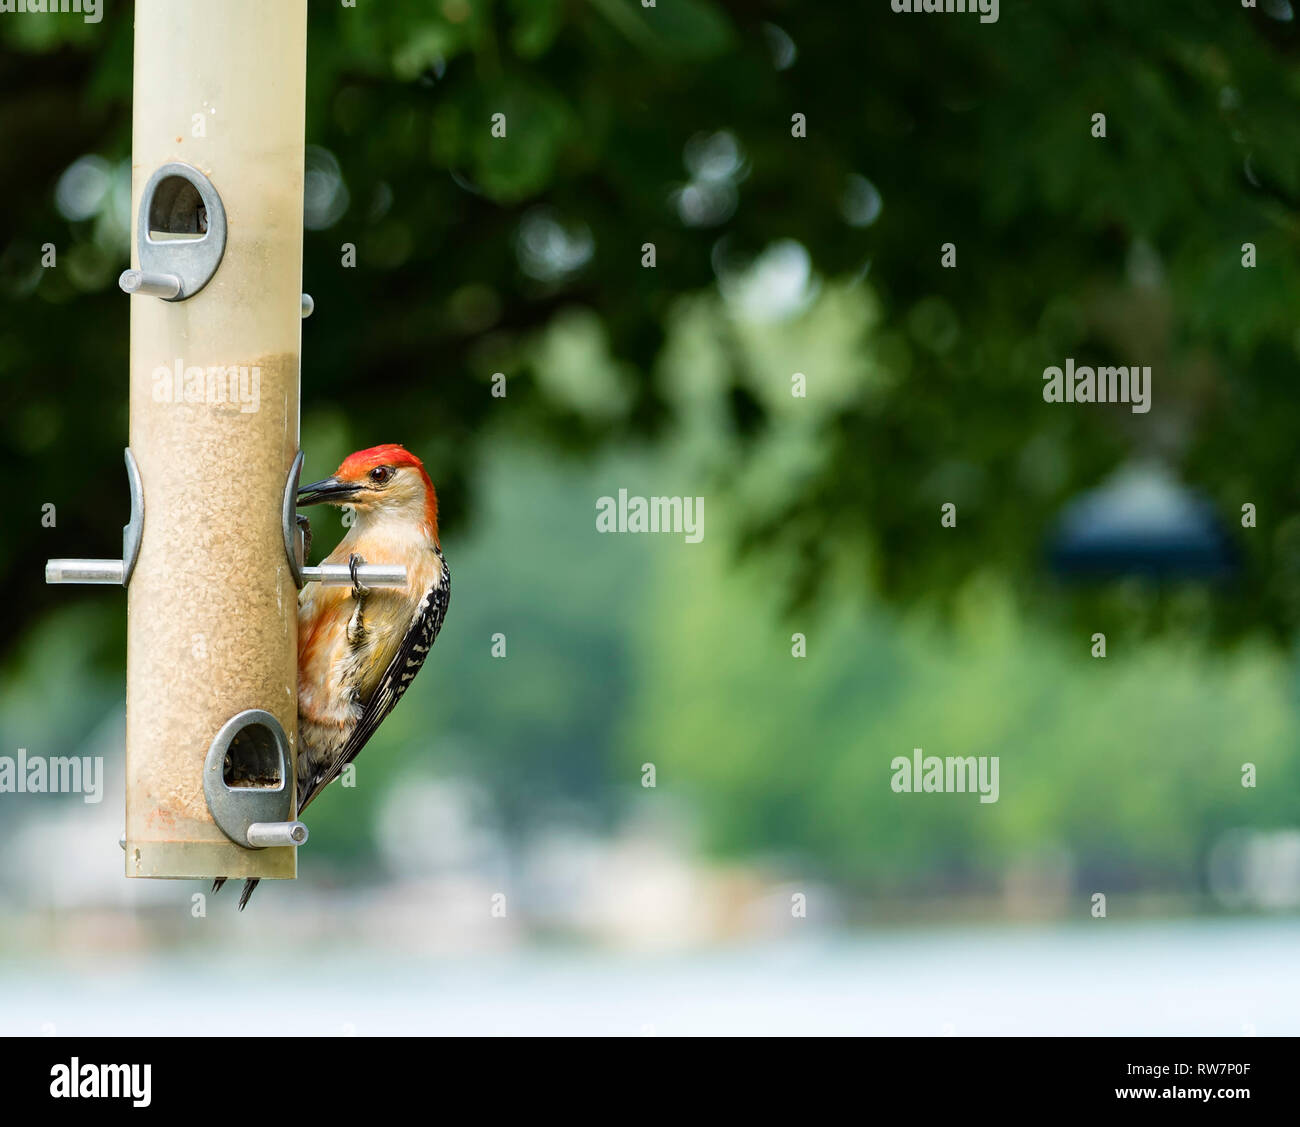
x=213 y=558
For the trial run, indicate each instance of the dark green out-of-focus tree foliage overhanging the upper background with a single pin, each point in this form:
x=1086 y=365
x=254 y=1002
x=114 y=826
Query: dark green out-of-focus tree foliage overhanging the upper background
x=673 y=125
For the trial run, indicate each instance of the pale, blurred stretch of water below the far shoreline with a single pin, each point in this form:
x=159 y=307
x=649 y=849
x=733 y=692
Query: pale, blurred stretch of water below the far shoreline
x=1172 y=978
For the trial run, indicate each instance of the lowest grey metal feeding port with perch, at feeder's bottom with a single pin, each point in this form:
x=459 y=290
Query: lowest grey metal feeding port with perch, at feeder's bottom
x=246 y=782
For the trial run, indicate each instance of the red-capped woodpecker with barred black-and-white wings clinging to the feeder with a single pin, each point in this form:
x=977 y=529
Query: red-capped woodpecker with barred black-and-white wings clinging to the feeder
x=361 y=648
